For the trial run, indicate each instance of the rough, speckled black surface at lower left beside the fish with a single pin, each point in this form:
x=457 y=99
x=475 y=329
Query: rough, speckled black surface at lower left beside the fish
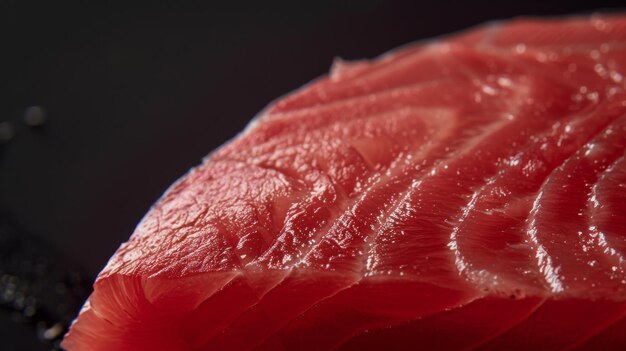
x=40 y=291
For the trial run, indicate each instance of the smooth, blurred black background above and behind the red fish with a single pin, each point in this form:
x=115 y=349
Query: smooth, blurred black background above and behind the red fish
x=138 y=92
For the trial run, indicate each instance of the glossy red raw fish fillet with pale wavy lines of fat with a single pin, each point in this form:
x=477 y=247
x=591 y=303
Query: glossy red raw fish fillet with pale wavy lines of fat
x=467 y=193
